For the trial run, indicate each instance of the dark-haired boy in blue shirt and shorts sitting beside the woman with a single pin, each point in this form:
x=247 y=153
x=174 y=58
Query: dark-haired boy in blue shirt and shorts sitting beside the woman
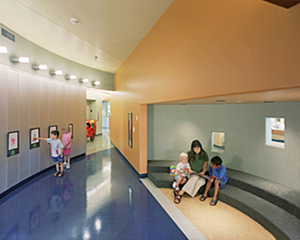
x=217 y=171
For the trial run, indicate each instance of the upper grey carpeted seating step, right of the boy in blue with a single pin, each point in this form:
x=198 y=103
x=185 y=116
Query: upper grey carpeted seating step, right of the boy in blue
x=281 y=196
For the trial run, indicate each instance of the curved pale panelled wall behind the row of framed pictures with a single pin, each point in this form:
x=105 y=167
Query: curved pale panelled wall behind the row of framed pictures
x=29 y=101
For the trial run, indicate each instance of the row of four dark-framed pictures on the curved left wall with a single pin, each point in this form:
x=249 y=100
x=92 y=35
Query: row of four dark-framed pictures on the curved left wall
x=13 y=146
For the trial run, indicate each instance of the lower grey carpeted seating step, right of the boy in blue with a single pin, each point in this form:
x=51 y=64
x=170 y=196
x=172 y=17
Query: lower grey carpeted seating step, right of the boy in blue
x=280 y=223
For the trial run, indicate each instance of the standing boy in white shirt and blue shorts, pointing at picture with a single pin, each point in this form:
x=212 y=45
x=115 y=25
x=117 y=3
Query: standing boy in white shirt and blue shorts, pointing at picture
x=57 y=149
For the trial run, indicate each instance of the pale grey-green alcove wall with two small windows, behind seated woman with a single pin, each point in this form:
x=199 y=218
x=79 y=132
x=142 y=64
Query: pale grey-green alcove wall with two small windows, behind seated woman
x=172 y=128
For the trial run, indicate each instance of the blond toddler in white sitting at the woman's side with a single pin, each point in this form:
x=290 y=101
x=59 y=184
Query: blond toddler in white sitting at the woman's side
x=182 y=169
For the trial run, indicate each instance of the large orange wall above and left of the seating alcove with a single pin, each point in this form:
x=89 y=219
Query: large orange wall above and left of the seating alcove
x=202 y=48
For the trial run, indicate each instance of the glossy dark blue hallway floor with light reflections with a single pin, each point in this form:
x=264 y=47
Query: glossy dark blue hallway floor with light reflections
x=98 y=198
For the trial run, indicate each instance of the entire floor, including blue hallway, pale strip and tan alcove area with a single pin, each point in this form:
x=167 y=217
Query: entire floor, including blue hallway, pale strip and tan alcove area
x=100 y=198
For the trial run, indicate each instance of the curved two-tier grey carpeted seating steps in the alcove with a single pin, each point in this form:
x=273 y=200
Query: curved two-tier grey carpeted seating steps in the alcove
x=274 y=206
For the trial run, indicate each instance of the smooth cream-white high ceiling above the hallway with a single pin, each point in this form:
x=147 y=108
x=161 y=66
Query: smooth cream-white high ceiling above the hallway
x=108 y=29
